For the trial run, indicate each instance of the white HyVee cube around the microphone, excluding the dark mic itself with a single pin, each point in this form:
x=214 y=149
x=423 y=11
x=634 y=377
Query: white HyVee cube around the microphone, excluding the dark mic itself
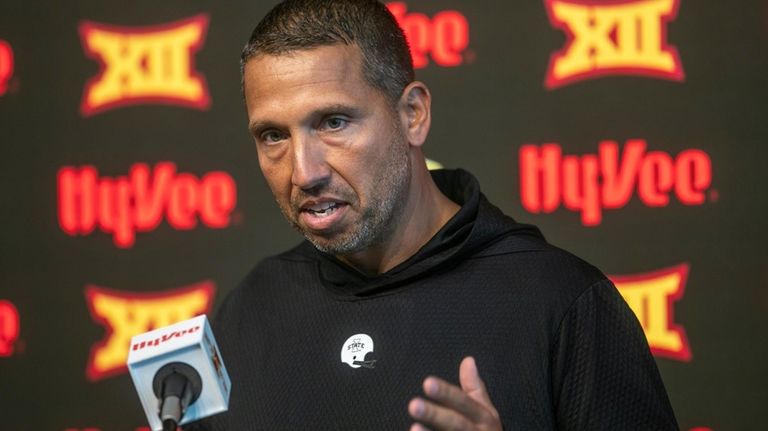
x=190 y=342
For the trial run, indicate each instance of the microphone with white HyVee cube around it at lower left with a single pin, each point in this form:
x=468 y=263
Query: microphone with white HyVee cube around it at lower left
x=179 y=374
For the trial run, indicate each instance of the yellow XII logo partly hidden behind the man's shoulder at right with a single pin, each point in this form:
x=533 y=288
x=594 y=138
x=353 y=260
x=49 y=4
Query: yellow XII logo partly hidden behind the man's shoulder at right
x=651 y=296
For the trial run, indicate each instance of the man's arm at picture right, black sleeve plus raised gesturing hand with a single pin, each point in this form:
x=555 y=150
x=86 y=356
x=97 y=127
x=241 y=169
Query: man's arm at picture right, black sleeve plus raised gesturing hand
x=603 y=376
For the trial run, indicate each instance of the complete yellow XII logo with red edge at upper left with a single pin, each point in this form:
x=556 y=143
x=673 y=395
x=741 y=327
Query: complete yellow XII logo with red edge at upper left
x=142 y=65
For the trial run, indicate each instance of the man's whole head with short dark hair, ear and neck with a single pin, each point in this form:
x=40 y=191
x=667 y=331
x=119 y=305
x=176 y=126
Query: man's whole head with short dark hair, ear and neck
x=338 y=130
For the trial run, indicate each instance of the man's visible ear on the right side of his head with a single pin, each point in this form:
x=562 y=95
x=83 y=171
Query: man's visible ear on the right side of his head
x=415 y=112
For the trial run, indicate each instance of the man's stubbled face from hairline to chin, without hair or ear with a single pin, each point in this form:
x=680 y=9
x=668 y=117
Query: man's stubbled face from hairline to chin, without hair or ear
x=330 y=146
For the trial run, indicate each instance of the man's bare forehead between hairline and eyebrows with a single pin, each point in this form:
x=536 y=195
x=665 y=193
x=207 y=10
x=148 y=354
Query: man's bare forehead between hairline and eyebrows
x=302 y=79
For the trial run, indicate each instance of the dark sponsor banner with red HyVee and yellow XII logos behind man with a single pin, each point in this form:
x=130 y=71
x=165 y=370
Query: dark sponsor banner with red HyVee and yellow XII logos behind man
x=633 y=132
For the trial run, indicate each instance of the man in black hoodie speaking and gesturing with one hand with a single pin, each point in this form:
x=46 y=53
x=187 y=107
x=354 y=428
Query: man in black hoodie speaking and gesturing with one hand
x=405 y=275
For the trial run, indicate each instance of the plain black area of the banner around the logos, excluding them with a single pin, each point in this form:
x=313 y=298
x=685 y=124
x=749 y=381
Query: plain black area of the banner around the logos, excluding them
x=483 y=111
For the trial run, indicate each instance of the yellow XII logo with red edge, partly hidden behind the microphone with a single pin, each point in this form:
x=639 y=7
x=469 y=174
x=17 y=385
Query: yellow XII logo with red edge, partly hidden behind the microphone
x=127 y=314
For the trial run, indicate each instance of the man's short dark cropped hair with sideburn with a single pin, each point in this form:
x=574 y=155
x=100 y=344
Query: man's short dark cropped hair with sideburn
x=305 y=24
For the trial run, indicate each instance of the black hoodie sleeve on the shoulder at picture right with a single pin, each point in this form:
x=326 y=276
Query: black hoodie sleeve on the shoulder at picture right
x=603 y=374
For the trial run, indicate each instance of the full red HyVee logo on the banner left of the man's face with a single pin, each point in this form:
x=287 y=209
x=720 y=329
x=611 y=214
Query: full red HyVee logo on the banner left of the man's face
x=125 y=205
